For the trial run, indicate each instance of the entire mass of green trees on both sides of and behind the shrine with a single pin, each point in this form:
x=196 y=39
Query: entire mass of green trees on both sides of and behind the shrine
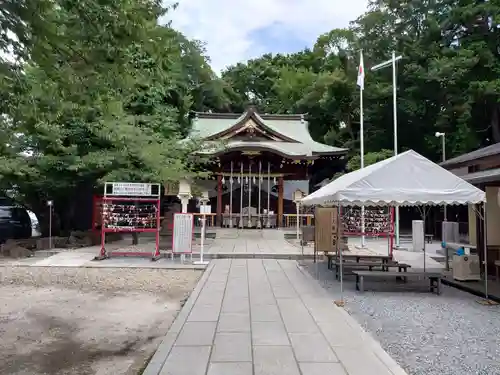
x=93 y=90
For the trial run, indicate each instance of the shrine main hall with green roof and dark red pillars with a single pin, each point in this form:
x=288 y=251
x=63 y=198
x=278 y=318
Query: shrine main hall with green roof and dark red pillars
x=261 y=165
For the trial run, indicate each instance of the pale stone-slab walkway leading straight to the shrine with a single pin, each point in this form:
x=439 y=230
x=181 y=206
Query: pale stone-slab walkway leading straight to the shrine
x=265 y=317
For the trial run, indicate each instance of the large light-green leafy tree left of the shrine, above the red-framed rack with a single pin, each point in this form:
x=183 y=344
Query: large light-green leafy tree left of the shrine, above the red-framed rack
x=104 y=94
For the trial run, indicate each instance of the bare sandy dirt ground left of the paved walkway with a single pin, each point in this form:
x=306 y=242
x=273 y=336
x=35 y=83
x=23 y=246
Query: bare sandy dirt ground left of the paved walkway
x=63 y=321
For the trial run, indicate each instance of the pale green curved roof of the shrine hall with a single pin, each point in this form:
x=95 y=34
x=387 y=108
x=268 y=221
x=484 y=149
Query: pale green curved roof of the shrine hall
x=293 y=127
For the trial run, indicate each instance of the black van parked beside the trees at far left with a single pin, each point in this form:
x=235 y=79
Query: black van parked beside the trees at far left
x=15 y=223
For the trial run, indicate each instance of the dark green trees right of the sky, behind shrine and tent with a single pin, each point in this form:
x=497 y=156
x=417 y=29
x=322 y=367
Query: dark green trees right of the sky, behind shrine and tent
x=448 y=79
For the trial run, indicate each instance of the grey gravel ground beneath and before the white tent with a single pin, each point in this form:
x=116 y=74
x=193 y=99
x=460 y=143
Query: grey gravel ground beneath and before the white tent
x=426 y=334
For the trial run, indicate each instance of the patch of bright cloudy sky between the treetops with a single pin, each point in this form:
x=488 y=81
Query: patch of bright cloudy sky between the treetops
x=227 y=25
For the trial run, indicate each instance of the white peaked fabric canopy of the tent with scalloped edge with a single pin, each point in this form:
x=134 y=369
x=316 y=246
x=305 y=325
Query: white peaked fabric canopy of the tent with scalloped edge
x=407 y=179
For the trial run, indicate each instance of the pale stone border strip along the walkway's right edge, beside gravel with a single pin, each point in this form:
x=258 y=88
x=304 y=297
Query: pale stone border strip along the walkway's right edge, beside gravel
x=373 y=343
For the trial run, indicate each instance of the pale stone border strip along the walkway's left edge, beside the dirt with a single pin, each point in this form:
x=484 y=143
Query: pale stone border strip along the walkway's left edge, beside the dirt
x=160 y=356
